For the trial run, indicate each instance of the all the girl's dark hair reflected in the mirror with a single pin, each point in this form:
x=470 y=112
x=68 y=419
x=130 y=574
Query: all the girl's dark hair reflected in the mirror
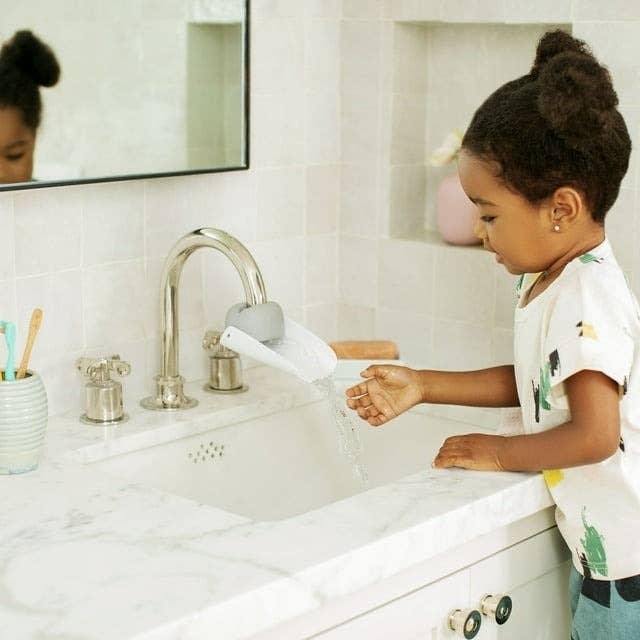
x=26 y=64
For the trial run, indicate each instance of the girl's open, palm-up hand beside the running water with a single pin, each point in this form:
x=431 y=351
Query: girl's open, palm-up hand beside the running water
x=389 y=391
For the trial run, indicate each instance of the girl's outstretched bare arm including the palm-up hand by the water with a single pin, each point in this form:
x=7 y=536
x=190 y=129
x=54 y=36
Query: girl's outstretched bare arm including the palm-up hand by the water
x=390 y=390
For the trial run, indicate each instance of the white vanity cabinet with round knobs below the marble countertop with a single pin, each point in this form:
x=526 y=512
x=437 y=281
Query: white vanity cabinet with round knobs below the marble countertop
x=533 y=572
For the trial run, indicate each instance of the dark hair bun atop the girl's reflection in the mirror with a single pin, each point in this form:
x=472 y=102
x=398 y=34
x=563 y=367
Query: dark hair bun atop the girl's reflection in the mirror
x=33 y=57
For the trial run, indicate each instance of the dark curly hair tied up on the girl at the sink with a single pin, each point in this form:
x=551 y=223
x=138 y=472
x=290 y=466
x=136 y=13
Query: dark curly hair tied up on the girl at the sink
x=556 y=126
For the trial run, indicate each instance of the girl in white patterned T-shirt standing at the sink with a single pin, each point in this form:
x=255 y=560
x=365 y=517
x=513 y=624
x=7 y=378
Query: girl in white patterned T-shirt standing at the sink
x=543 y=159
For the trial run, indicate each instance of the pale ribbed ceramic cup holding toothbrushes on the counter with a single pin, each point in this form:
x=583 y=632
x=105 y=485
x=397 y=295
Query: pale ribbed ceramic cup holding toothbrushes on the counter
x=23 y=422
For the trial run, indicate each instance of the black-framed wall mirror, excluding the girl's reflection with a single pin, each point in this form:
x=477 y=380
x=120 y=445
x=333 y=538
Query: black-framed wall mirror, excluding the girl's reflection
x=146 y=88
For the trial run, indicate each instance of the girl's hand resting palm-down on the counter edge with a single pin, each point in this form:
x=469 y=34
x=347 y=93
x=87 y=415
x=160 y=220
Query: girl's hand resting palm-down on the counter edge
x=473 y=451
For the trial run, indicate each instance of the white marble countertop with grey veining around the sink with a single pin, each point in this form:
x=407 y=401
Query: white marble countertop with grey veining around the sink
x=87 y=556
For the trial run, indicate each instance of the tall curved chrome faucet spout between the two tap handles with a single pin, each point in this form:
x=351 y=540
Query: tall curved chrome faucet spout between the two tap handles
x=169 y=383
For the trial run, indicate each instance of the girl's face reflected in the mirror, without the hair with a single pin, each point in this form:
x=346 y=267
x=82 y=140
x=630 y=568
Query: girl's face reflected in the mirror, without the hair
x=17 y=144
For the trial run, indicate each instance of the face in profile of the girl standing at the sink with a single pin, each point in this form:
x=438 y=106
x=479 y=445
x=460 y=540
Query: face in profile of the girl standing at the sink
x=519 y=233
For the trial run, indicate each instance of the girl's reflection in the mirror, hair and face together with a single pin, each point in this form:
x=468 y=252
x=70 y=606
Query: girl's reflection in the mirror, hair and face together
x=26 y=63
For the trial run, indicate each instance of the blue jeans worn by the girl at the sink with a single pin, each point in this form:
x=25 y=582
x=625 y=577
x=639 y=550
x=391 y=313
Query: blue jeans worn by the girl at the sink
x=604 y=610
